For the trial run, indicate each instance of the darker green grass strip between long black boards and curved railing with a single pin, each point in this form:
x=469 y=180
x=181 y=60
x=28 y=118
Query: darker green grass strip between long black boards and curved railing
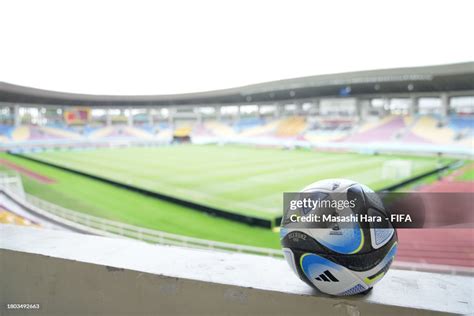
x=104 y=200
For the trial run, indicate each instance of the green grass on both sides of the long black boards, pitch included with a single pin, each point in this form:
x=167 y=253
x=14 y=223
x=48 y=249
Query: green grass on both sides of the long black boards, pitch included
x=240 y=179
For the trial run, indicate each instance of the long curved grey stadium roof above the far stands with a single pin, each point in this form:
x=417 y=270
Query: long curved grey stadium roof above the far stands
x=454 y=78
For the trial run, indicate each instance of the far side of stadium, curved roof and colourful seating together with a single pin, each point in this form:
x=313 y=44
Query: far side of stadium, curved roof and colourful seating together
x=391 y=109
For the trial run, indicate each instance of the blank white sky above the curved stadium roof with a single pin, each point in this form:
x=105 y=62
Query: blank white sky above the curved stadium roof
x=165 y=47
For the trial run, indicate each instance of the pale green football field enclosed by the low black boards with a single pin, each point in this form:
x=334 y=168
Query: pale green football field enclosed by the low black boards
x=243 y=180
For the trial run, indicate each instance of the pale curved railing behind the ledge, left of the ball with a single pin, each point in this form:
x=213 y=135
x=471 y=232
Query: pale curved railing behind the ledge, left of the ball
x=107 y=227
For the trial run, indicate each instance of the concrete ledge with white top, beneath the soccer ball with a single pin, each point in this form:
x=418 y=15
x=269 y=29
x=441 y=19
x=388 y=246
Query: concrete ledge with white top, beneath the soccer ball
x=74 y=274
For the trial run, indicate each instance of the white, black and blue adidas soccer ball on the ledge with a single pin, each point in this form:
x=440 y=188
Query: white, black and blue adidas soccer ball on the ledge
x=342 y=258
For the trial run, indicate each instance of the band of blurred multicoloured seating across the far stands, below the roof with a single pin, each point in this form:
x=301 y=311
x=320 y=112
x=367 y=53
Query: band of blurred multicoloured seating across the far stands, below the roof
x=421 y=129
